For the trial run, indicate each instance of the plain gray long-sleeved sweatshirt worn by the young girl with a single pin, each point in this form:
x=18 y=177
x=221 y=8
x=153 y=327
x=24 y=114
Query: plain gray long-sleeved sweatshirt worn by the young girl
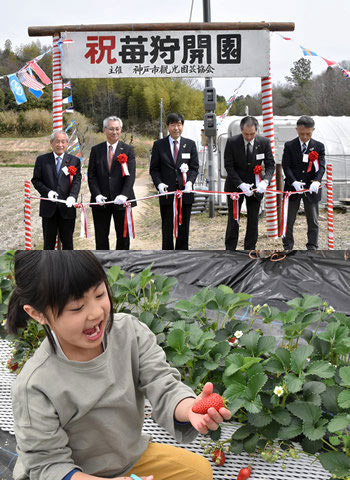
x=89 y=415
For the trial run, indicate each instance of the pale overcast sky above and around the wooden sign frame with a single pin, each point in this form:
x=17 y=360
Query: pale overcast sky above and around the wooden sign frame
x=320 y=25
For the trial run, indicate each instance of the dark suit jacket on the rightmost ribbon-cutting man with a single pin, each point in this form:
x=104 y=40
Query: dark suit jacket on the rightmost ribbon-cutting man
x=295 y=169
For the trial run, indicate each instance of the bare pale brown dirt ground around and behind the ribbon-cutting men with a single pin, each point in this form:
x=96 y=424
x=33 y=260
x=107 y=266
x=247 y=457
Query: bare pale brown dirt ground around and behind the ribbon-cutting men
x=205 y=233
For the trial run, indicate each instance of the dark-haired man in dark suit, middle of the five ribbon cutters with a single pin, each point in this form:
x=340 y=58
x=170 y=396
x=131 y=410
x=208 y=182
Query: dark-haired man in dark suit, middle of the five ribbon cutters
x=173 y=160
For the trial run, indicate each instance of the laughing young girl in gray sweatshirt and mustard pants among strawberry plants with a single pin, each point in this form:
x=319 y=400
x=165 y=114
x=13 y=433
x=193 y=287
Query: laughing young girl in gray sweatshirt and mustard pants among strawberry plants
x=78 y=403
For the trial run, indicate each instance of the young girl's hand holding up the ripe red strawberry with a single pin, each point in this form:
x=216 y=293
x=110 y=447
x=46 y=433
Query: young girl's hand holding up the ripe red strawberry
x=210 y=420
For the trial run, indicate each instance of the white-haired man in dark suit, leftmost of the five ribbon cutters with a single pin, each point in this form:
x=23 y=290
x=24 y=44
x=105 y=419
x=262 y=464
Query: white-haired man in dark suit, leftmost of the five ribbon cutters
x=55 y=178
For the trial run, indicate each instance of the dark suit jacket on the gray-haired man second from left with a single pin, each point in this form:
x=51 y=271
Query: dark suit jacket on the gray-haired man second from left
x=110 y=184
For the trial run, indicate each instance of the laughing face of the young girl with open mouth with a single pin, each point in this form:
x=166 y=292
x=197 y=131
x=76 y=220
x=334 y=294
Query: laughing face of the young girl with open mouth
x=80 y=327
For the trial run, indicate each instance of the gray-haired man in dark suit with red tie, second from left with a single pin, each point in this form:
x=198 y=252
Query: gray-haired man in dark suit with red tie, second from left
x=111 y=177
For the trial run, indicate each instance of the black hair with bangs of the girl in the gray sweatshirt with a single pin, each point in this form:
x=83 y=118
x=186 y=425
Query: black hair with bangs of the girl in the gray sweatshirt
x=49 y=279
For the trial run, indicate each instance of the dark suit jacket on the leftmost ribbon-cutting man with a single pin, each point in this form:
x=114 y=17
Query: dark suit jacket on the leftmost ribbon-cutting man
x=45 y=178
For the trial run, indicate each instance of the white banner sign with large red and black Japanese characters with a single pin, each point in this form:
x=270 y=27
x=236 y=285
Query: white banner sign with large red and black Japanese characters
x=197 y=53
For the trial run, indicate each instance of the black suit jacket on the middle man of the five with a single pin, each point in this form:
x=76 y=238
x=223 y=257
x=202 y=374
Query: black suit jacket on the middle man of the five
x=164 y=170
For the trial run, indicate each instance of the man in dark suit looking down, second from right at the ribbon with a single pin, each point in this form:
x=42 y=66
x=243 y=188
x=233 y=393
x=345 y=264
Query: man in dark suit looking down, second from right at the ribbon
x=242 y=154
